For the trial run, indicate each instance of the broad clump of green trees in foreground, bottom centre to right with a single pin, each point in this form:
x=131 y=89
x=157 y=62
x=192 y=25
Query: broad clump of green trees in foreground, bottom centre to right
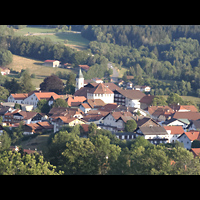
x=102 y=153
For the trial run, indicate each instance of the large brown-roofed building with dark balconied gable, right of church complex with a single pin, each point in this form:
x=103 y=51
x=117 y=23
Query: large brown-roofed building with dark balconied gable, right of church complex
x=129 y=98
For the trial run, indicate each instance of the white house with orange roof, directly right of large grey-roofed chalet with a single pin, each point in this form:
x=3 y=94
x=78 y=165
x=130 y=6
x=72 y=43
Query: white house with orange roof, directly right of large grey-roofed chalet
x=174 y=132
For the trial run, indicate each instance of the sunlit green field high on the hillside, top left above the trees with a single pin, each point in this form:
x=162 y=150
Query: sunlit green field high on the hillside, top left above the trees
x=74 y=39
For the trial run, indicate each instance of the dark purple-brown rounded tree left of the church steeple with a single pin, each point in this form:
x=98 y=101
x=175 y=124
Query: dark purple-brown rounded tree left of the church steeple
x=52 y=84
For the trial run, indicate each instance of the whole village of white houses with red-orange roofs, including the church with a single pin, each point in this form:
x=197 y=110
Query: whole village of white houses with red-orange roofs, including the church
x=108 y=106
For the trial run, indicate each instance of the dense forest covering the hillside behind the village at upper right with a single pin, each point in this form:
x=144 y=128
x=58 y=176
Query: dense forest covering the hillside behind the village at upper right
x=152 y=53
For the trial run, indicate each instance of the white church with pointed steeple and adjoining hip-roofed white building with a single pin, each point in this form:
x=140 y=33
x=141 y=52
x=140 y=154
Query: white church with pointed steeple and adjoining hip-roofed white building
x=94 y=90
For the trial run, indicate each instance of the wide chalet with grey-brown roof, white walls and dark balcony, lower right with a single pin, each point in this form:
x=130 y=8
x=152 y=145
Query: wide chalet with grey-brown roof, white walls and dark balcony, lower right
x=155 y=135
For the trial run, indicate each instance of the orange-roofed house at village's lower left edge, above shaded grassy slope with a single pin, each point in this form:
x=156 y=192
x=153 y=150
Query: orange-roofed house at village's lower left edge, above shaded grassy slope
x=38 y=127
